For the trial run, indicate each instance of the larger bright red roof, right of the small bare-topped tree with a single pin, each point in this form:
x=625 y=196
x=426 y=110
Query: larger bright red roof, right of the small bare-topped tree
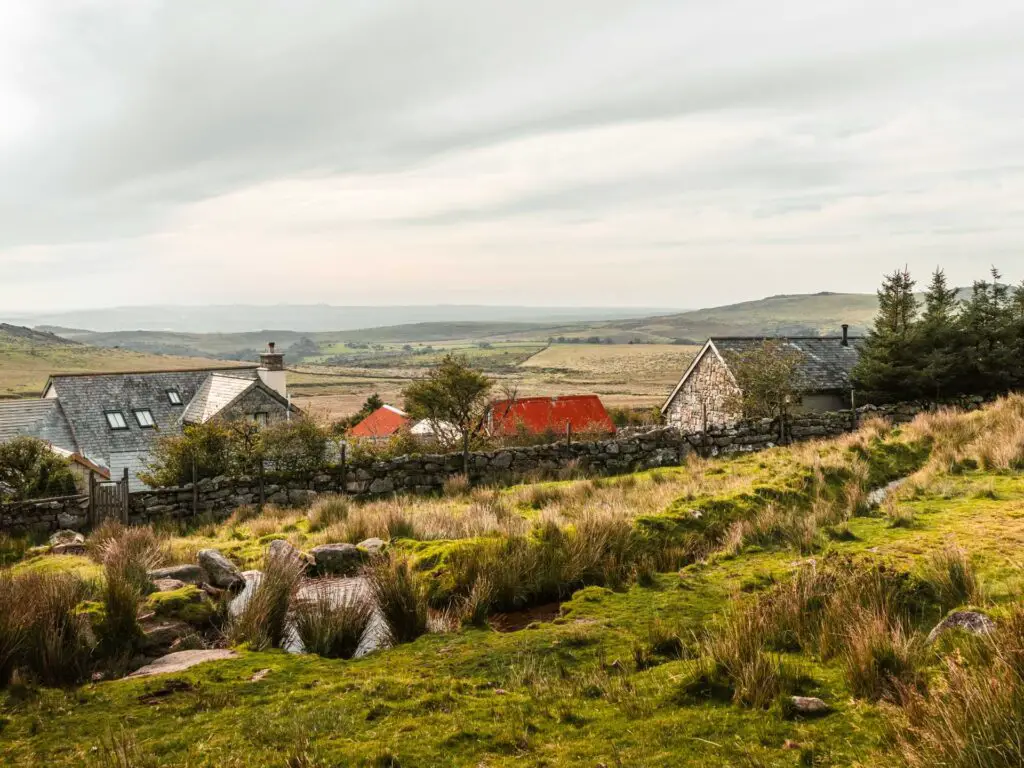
x=584 y=412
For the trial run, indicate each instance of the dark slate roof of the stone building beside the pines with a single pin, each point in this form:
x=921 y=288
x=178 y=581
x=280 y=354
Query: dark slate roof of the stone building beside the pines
x=827 y=363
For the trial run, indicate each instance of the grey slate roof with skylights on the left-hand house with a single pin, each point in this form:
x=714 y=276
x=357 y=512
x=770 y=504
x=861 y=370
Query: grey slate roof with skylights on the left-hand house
x=87 y=399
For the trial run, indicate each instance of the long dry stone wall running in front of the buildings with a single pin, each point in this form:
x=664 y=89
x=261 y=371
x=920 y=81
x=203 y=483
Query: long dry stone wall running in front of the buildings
x=664 y=447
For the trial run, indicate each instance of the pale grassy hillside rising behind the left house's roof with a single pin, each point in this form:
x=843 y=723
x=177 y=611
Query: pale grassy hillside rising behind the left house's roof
x=28 y=358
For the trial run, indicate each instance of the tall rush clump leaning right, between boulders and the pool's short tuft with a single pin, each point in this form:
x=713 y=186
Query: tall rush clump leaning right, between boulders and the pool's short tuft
x=264 y=622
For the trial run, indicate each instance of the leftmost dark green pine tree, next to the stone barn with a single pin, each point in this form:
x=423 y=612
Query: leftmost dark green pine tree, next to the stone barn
x=890 y=366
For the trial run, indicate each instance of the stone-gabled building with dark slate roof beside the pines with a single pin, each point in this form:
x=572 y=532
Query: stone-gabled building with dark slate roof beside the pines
x=705 y=397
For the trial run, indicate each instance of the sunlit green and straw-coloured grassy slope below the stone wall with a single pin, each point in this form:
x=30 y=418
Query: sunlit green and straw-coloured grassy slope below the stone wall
x=690 y=606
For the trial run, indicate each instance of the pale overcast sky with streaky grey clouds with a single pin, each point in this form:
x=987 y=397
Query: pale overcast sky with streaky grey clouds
x=651 y=153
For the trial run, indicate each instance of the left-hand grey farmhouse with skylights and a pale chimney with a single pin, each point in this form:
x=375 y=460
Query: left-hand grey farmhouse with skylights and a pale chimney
x=111 y=421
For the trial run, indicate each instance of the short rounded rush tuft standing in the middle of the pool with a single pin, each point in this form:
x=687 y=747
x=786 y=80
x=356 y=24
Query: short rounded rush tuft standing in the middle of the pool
x=332 y=624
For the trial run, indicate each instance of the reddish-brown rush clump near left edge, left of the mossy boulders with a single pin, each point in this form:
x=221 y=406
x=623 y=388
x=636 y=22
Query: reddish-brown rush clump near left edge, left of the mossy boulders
x=57 y=649
